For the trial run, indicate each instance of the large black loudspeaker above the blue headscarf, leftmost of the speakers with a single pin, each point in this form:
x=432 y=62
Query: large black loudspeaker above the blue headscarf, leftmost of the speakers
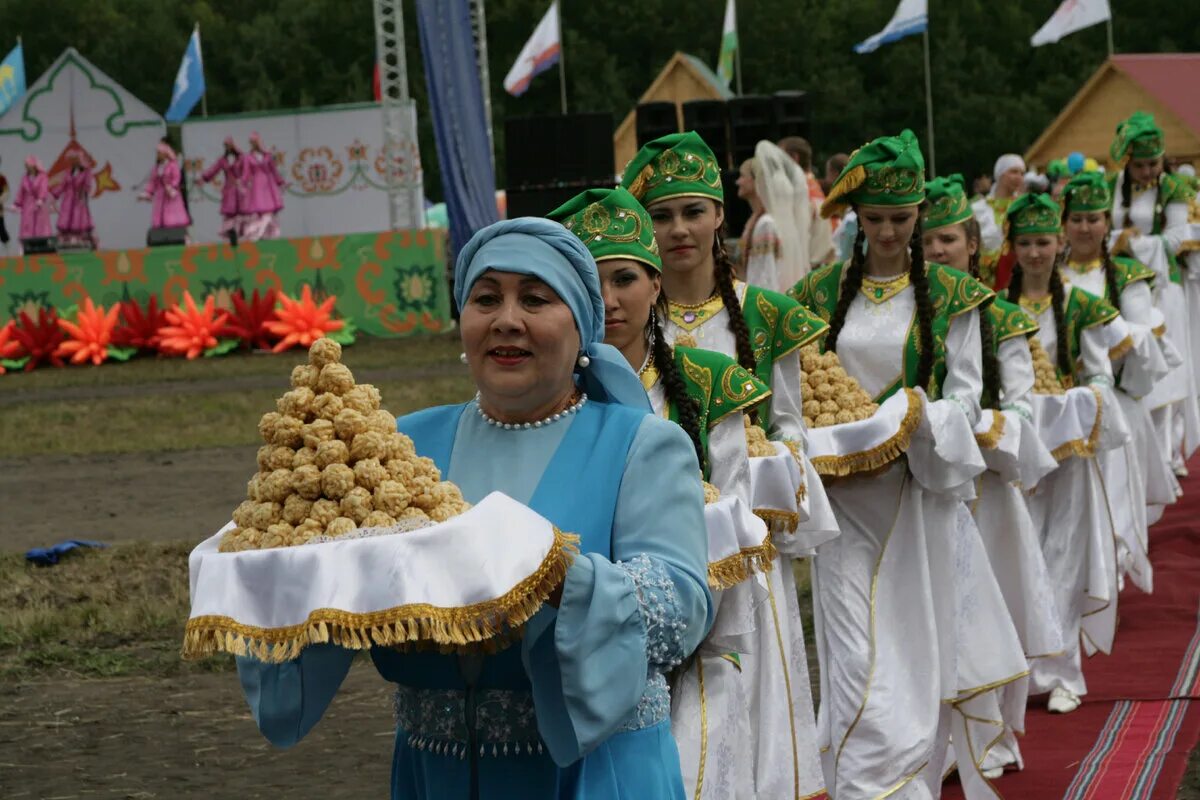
x=549 y=152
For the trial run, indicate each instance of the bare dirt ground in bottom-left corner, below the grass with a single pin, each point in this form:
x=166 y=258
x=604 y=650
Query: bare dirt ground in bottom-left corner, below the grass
x=187 y=738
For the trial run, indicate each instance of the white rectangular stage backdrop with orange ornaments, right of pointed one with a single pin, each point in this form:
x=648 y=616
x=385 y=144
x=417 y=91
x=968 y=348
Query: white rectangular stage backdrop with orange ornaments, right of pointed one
x=332 y=159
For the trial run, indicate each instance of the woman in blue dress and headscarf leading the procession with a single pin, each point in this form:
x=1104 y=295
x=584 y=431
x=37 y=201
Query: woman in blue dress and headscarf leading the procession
x=578 y=707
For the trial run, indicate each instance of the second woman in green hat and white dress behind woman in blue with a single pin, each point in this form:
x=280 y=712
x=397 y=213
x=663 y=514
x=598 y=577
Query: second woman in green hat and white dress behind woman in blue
x=679 y=182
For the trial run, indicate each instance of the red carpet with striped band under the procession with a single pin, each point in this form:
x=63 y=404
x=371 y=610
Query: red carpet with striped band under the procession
x=1131 y=738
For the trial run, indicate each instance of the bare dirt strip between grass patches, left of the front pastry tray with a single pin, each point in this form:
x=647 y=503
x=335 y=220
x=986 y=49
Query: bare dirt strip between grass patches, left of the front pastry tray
x=121 y=497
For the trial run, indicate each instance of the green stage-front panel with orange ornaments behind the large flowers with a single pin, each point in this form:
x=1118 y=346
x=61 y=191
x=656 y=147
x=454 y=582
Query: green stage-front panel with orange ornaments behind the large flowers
x=388 y=284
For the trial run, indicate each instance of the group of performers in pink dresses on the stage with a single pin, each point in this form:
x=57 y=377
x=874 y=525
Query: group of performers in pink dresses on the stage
x=251 y=197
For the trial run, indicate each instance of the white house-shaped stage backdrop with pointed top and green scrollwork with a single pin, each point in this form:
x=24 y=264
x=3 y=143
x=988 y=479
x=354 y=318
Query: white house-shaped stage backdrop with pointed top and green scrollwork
x=74 y=107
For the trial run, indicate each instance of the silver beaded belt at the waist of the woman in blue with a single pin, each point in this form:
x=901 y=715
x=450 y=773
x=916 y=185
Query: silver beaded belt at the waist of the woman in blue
x=506 y=724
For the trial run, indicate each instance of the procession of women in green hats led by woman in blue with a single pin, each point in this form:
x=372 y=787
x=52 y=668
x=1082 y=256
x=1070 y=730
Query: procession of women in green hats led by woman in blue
x=622 y=350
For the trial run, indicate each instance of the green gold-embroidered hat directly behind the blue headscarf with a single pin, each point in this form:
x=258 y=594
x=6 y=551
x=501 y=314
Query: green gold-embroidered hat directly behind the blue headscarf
x=613 y=225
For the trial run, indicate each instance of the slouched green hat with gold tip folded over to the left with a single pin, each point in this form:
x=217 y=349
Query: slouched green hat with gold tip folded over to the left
x=890 y=171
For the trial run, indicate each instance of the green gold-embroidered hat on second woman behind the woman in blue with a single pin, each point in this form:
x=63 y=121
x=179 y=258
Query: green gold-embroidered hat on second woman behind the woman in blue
x=677 y=165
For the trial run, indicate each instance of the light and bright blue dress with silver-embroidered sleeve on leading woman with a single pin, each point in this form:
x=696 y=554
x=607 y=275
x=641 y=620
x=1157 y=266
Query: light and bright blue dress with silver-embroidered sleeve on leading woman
x=579 y=708
